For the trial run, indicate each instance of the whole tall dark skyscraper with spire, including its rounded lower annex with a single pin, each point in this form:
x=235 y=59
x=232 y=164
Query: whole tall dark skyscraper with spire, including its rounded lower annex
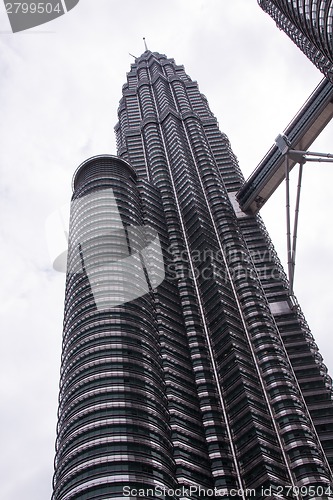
x=204 y=380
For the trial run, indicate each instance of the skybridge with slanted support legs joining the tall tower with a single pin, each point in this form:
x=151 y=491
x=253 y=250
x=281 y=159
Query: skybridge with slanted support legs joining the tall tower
x=290 y=148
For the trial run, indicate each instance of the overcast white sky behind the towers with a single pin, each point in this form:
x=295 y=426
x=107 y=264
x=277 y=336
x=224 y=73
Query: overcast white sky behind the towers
x=60 y=88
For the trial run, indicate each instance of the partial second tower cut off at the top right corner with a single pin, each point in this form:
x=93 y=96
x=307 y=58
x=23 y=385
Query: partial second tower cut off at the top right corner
x=310 y=26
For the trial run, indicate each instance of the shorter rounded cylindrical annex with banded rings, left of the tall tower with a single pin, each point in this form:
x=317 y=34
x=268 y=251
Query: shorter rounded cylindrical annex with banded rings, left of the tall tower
x=113 y=434
